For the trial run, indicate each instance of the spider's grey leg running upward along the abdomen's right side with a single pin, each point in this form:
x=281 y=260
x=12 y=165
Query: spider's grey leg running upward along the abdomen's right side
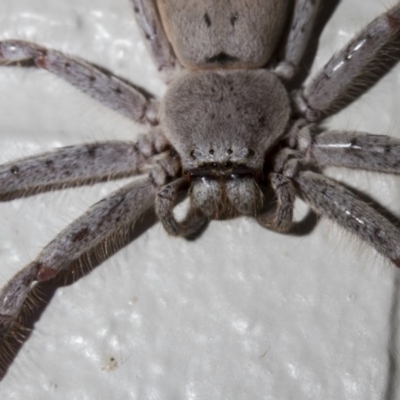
x=301 y=27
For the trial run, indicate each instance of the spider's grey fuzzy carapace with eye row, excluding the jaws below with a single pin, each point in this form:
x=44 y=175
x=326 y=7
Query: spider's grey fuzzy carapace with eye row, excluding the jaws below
x=221 y=122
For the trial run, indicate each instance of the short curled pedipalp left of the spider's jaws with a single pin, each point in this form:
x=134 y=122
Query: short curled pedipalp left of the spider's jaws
x=165 y=202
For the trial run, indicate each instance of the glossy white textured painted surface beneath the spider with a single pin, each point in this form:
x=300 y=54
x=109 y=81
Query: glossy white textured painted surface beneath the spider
x=241 y=313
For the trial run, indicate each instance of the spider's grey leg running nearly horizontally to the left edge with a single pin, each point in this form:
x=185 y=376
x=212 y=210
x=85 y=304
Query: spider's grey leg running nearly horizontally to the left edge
x=78 y=165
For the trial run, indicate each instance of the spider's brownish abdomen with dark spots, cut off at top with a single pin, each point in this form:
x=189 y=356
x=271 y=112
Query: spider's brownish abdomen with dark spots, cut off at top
x=233 y=34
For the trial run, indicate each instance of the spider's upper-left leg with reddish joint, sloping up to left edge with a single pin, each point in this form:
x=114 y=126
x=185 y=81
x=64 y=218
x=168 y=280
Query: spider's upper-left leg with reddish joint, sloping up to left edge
x=98 y=84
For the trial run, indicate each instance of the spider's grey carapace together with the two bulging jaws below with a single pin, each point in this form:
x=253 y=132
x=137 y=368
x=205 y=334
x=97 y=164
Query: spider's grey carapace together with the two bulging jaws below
x=222 y=124
